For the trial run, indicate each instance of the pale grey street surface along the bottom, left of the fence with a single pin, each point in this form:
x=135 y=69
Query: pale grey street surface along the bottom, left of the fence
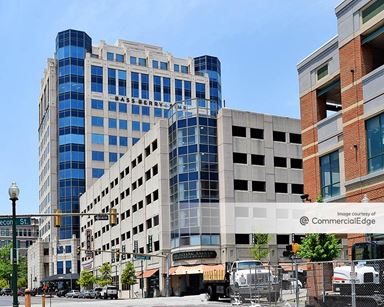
x=151 y=302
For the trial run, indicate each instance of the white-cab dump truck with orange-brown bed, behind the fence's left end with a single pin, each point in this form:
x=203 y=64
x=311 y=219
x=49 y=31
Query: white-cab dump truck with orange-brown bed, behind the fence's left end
x=242 y=280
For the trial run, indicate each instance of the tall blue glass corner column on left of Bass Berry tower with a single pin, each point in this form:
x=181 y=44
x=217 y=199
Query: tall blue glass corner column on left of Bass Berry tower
x=71 y=47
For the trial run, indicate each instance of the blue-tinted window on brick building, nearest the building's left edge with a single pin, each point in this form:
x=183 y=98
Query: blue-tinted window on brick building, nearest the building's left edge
x=330 y=175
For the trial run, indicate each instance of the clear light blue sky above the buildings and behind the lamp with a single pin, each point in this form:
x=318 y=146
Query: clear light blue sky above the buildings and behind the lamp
x=259 y=43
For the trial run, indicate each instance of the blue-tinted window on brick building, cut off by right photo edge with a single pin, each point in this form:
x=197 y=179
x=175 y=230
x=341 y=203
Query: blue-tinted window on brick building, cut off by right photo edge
x=375 y=144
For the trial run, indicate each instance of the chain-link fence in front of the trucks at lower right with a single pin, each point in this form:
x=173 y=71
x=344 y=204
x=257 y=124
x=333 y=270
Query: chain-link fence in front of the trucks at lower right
x=338 y=283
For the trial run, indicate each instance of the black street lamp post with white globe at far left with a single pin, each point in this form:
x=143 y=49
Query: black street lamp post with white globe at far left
x=13 y=196
